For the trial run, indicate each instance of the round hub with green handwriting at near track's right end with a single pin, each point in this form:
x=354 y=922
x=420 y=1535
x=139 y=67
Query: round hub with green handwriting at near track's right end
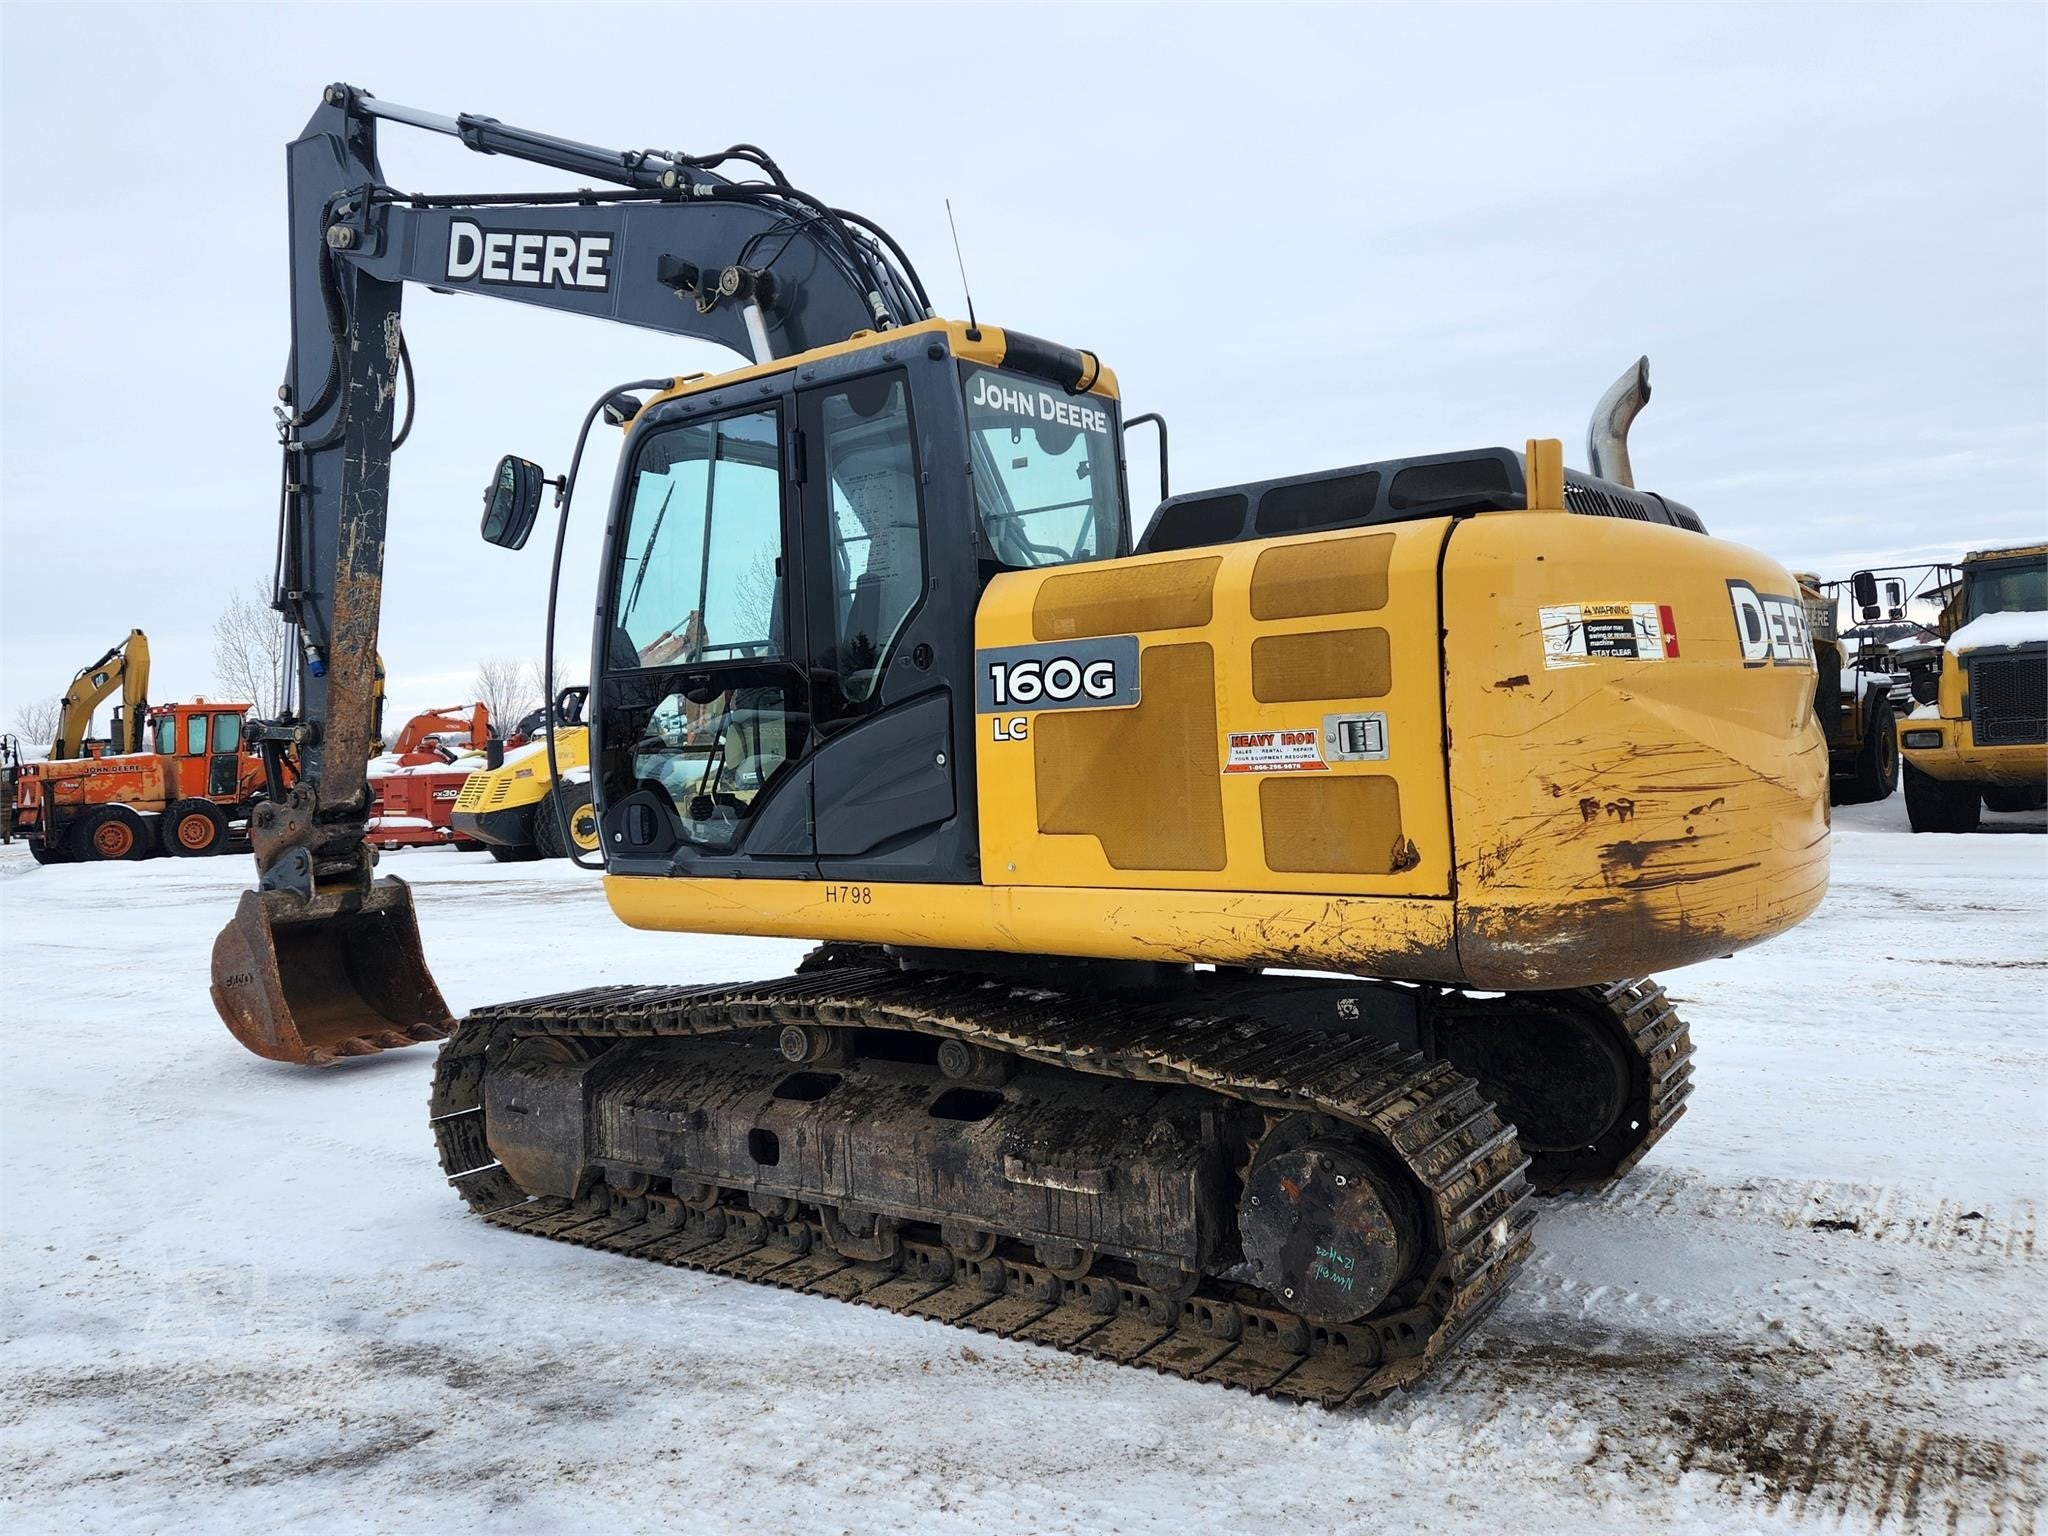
x=1326 y=1232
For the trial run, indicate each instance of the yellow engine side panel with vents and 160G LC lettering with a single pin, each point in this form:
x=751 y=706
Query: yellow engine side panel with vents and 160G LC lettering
x=1283 y=730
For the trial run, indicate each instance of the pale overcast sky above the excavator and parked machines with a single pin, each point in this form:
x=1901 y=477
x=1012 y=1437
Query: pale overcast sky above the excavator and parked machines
x=1310 y=237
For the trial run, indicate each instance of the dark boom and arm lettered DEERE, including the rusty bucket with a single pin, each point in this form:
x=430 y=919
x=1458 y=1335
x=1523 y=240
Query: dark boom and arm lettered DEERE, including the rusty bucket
x=323 y=959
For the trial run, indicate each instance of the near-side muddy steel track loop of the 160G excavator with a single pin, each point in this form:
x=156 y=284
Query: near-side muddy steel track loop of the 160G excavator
x=1435 y=1121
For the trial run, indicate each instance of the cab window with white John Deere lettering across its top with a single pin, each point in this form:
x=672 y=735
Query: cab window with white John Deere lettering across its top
x=1046 y=470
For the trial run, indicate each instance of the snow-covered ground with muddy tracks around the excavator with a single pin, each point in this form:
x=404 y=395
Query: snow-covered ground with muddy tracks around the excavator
x=239 y=1295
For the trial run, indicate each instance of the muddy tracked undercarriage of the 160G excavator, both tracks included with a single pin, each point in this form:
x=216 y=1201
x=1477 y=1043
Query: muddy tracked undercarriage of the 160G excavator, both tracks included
x=1281 y=1185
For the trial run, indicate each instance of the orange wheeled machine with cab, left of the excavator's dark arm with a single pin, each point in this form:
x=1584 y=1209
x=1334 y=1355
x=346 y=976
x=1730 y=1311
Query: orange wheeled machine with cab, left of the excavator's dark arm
x=181 y=796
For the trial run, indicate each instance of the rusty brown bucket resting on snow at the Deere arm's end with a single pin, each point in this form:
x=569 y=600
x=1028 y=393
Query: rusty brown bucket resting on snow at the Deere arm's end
x=314 y=982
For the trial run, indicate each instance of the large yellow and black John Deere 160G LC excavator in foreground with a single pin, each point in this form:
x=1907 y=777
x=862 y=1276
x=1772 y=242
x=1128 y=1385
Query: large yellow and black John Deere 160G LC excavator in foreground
x=880 y=663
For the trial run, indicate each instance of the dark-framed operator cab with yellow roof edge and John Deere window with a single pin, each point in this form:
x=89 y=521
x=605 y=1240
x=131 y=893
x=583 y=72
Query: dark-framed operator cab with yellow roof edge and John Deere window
x=785 y=636
